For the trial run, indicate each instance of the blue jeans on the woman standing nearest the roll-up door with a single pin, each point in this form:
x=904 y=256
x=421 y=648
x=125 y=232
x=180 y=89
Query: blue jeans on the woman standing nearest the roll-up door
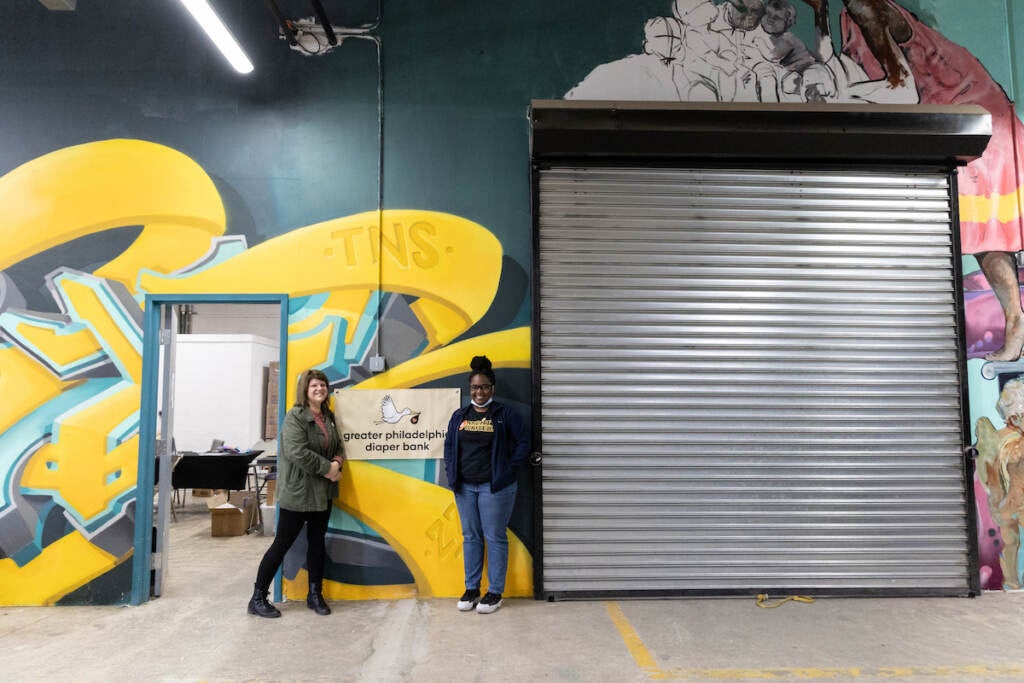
x=486 y=518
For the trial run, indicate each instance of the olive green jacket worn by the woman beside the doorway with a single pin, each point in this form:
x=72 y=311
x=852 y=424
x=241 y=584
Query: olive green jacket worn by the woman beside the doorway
x=304 y=461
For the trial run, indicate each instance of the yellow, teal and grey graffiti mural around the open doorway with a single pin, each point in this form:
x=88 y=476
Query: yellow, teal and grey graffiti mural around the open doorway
x=69 y=448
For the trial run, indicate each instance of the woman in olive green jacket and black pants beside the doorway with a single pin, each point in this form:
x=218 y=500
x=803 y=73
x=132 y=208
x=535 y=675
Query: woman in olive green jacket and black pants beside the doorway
x=309 y=469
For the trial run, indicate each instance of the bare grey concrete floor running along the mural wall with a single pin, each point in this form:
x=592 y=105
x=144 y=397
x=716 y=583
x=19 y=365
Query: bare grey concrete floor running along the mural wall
x=199 y=631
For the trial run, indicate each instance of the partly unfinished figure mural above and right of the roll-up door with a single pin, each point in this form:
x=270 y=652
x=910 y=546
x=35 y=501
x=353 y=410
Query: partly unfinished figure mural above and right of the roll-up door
x=744 y=51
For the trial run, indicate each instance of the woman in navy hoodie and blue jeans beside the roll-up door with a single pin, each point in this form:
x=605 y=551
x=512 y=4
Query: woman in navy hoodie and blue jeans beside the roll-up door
x=485 y=447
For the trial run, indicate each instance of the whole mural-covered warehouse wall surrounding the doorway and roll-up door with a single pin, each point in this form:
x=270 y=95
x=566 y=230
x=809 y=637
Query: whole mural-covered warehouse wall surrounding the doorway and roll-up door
x=385 y=188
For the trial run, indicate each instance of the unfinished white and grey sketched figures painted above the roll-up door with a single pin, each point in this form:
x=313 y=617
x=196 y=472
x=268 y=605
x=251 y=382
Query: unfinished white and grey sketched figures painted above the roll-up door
x=742 y=51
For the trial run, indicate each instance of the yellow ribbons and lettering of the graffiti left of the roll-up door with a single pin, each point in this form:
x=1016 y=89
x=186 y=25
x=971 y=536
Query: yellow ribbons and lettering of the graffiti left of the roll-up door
x=90 y=464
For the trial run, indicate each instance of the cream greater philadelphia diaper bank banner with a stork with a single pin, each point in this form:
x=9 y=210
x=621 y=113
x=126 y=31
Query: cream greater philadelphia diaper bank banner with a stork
x=387 y=424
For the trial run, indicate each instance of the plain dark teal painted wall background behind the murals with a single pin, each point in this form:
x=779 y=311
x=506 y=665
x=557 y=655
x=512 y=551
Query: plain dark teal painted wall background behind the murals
x=295 y=144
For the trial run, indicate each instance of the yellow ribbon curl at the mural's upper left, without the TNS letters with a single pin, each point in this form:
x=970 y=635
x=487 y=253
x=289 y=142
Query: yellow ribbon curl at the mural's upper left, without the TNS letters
x=98 y=187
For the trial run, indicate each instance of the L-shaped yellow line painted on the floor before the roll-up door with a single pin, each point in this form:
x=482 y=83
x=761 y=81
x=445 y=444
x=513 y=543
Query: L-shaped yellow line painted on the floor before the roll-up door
x=647 y=662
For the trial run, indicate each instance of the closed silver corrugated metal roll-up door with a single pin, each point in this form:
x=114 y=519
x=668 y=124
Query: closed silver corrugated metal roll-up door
x=750 y=382
